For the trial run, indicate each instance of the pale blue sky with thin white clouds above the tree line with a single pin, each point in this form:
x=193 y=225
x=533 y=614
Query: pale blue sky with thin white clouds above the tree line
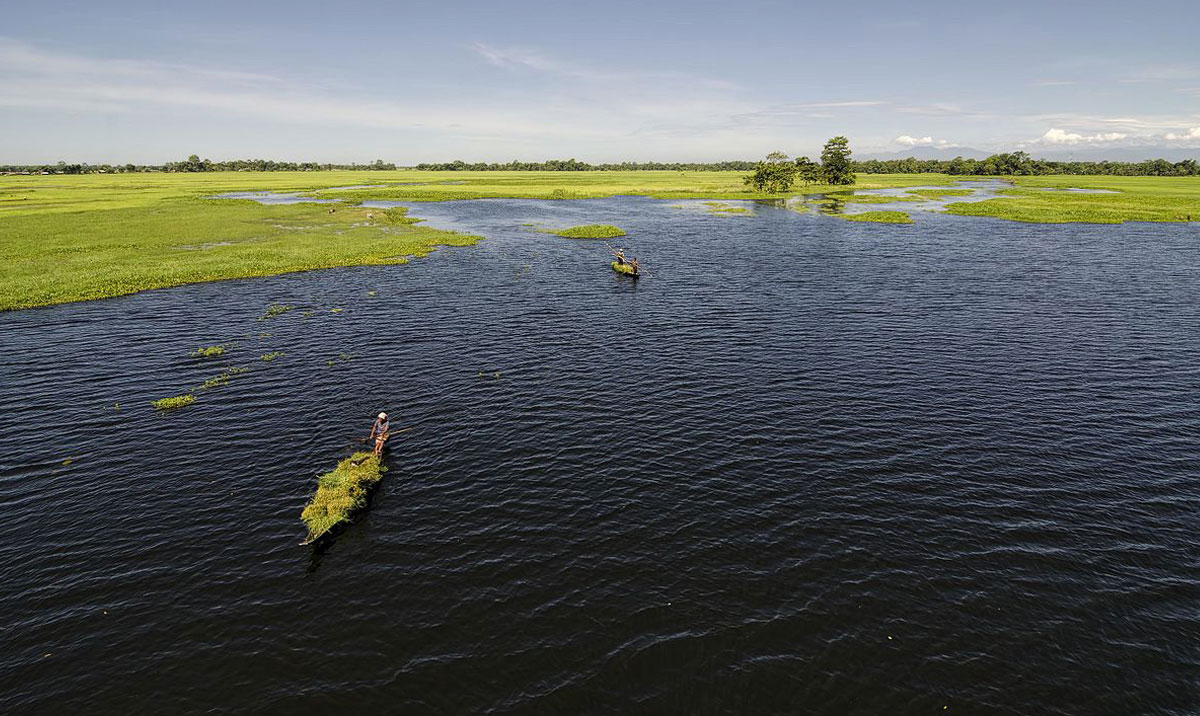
x=409 y=82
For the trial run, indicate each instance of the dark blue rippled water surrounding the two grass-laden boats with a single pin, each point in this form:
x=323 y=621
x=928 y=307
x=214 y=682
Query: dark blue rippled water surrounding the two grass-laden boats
x=806 y=467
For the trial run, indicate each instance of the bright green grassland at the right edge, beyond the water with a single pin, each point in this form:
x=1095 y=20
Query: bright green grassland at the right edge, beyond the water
x=1137 y=198
